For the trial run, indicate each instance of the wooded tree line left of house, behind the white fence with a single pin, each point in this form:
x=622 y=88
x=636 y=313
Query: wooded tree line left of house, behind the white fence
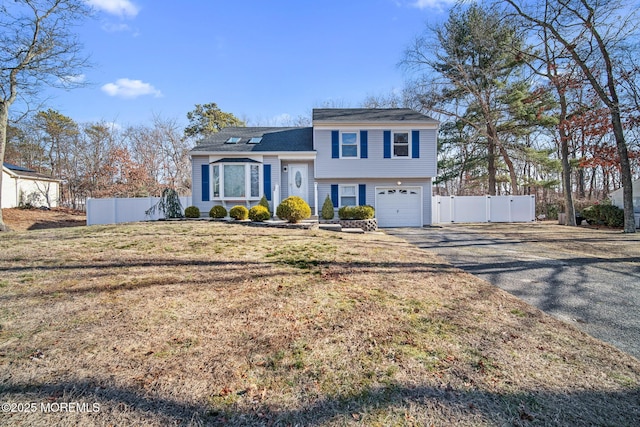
x=99 y=159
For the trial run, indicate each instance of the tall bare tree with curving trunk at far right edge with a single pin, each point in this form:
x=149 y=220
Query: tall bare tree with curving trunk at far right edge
x=596 y=34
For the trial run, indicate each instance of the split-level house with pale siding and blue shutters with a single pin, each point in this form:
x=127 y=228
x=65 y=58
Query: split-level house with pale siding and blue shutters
x=385 y=158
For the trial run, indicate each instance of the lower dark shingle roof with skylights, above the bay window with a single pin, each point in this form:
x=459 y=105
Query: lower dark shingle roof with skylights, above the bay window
x=273 y=139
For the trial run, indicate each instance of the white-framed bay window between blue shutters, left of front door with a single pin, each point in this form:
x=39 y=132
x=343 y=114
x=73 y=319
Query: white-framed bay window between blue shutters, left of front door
x=236 y=181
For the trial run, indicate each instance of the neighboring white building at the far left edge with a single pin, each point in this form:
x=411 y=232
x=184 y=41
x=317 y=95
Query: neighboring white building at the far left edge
x=22 y=186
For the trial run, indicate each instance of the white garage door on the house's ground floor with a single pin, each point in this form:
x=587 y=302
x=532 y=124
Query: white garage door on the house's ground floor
x=399 y=207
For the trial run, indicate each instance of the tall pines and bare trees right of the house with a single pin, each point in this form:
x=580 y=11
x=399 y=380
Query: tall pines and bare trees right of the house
x=535 y=97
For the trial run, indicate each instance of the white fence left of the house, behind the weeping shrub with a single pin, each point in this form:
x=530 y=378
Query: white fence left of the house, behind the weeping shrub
x=117 y=210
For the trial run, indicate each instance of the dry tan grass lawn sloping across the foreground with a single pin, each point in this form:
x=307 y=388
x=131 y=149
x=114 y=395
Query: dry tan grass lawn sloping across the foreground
x=194 y=323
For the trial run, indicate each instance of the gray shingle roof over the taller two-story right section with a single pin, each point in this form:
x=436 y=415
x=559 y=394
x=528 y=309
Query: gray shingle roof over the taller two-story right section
x=369 y=115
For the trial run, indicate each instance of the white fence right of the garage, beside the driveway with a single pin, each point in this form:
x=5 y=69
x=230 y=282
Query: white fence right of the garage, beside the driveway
x=483 y=209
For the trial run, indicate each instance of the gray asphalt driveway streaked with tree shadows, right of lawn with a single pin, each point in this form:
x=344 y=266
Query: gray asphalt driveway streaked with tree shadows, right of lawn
x=589 y=278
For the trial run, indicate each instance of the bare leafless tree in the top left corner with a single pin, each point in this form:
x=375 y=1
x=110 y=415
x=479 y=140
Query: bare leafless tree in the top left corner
x=37 y=47
